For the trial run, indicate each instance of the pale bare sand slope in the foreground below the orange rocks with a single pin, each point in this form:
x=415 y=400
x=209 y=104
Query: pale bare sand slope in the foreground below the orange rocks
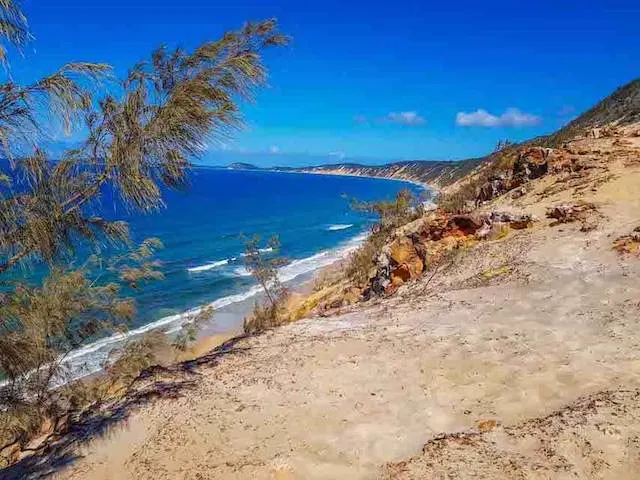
x=534 y=338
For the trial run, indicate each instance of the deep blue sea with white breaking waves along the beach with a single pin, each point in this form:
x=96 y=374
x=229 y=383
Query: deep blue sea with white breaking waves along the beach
x=201 y=231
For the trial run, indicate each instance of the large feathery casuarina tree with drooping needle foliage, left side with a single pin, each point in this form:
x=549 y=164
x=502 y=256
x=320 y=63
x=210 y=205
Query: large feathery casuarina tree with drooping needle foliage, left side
x=140 y=135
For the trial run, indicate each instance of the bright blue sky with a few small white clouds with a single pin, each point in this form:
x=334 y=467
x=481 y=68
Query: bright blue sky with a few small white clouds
x=371 y=81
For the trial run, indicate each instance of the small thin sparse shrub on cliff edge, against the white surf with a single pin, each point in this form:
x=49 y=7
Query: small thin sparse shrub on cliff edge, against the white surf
x=264 y=269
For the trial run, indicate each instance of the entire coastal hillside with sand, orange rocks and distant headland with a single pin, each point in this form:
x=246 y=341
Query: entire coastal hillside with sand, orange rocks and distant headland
x=502 y=344
